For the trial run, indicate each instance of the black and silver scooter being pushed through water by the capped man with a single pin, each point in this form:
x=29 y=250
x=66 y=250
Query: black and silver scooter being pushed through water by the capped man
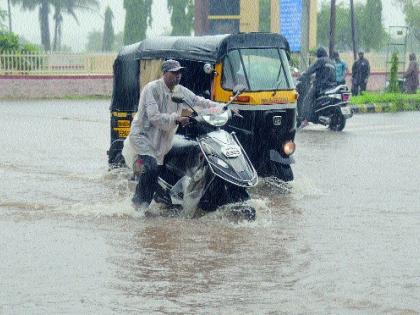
x=207 y=167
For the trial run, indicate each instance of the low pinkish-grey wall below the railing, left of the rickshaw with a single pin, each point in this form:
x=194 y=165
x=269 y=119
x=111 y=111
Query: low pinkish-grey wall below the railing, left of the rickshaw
x=54 y=86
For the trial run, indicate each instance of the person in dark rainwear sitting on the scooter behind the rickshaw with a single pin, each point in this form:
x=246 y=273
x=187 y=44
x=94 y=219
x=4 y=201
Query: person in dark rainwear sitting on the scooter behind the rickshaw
x=325 y=77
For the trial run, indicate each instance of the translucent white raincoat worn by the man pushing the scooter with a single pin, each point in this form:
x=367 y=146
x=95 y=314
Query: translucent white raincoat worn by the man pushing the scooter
x=154 y=125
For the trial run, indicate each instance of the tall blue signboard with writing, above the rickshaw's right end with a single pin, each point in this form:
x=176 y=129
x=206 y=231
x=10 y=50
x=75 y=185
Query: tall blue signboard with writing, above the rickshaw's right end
x=290 y=22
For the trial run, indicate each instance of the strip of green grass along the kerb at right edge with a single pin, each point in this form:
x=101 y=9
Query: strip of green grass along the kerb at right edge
x=391 y=102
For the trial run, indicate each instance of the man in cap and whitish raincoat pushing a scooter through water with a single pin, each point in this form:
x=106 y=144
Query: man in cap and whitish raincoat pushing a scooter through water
x=154 y=126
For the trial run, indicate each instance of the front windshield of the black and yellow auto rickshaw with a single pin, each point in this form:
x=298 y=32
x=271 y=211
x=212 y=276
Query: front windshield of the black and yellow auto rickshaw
x=257 y=69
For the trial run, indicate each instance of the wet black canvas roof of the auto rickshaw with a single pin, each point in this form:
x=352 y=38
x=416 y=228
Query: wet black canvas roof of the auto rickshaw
x=210 y=48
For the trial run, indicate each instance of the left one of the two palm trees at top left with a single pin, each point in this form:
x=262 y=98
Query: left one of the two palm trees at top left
x=44 y=10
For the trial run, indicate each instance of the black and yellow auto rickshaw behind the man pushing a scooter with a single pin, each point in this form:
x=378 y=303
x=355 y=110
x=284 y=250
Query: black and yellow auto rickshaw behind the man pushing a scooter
x=214 y=65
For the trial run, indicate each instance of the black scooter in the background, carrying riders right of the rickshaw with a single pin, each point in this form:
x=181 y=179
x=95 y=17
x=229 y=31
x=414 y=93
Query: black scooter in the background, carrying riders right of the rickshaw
x=331 y=107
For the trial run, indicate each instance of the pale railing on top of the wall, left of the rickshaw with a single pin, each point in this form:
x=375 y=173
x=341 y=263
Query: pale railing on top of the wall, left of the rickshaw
x=40 y=63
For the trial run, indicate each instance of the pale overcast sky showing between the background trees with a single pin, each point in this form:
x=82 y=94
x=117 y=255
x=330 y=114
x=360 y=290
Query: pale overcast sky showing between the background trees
x=26 y=23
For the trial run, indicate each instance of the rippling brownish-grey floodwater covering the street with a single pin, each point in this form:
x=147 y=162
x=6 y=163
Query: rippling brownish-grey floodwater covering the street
x=343 y=238
